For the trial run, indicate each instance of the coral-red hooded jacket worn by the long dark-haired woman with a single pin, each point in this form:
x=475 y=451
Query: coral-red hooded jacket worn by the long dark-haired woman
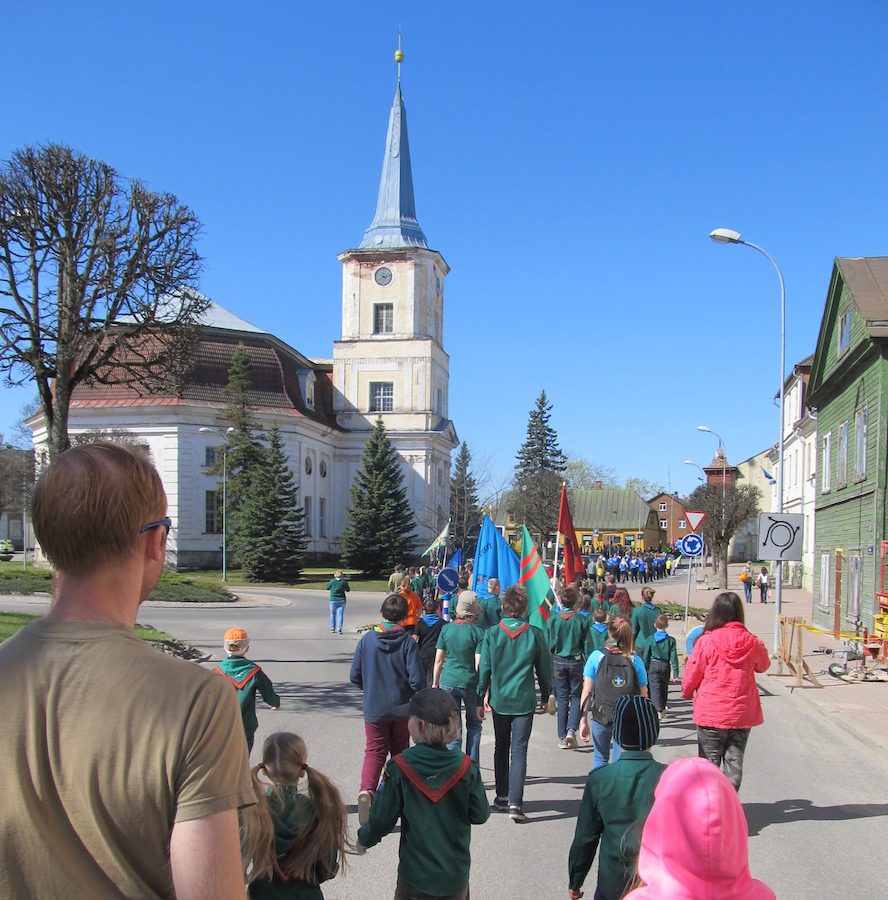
x=721 y=669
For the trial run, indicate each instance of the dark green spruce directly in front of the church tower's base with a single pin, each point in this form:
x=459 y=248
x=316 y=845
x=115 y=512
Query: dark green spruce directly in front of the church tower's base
x=379 y=531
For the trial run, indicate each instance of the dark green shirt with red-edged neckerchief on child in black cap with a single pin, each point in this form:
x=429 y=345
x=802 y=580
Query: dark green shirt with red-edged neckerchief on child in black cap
x=438 y=795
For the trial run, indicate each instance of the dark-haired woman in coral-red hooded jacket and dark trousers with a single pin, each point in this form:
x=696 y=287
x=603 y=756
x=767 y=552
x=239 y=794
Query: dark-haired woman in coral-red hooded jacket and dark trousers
x=720 y=676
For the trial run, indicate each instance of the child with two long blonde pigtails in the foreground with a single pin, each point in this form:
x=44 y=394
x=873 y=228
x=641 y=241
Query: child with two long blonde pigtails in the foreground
x=296 y=840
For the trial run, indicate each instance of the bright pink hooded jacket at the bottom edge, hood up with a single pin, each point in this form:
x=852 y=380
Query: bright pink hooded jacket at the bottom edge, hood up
x=695 y=841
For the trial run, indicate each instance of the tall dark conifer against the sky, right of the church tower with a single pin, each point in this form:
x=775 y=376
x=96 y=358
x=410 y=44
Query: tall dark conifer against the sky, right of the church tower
x=539 y=471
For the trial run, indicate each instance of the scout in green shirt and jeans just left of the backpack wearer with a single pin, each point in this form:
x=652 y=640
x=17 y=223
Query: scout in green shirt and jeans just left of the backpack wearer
x=568 y=634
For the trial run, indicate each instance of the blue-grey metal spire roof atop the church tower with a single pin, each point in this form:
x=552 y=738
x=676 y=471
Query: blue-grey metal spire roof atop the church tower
x=395 y=225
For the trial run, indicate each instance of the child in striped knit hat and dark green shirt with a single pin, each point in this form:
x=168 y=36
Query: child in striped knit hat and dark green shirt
x=616 y=801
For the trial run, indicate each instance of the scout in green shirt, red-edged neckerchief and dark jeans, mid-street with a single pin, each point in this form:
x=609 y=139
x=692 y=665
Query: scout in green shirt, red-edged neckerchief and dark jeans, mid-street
x=510 y=654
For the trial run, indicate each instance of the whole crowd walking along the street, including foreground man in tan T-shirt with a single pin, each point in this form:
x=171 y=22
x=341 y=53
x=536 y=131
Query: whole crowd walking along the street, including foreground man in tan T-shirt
x=130 y=777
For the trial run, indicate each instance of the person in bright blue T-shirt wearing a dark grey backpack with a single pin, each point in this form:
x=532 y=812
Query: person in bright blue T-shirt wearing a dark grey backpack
x=611 y=673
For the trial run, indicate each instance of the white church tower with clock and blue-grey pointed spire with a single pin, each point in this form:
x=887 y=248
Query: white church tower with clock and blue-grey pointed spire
x=391 y=360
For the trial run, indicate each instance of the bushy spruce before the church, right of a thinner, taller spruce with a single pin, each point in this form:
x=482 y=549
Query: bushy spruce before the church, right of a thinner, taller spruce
x=268 y=528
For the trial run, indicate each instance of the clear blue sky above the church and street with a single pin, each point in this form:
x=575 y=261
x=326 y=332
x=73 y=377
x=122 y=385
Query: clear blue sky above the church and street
x=569 y=161
